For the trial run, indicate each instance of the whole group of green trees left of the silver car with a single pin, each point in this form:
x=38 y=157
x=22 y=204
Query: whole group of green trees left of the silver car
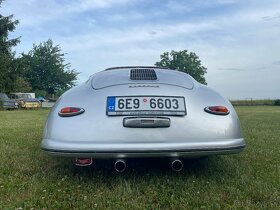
x=42 y=70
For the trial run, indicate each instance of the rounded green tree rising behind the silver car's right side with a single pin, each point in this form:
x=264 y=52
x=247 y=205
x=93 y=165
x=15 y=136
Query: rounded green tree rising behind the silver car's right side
x=185 y=62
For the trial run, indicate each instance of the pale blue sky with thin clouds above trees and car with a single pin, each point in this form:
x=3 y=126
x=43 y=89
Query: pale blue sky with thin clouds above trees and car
x=237 y=41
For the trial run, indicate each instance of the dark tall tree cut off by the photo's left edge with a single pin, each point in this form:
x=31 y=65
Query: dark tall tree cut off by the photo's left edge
x=8 y=65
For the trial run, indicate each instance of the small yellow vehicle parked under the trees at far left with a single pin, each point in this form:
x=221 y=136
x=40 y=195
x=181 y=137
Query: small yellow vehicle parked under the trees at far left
x=25 y=100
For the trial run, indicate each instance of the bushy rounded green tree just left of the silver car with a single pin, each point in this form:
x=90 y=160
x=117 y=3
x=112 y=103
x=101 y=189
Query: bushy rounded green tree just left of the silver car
x=45 y=68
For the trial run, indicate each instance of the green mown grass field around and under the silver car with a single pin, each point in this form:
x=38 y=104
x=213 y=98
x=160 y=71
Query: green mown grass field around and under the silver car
x=31 y=180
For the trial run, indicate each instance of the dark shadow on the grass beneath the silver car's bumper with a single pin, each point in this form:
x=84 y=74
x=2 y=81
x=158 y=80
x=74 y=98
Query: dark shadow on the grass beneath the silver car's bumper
x=141 y=167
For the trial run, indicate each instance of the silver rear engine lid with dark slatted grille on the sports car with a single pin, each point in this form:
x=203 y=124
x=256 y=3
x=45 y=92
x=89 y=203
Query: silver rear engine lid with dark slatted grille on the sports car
x=141 y=75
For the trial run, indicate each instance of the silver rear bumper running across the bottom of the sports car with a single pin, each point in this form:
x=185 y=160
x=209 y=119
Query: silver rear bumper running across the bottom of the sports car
x=127 y=150
